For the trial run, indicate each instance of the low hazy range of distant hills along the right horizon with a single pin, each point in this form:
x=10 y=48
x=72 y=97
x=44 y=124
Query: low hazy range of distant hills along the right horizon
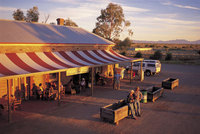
x=178 y=41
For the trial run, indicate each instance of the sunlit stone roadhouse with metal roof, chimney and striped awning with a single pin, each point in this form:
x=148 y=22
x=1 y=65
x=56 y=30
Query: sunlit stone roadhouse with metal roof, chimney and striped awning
x=33 y=53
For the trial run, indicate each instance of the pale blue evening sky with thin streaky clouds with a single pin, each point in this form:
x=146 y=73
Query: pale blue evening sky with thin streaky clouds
x=150 y=19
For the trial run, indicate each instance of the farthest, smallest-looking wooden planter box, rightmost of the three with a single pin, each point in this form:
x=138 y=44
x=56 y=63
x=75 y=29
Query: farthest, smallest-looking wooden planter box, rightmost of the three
x=170 y=83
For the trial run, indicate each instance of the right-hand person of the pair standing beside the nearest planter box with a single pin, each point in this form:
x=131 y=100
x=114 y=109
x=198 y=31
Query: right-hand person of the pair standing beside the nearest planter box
x=138 y=97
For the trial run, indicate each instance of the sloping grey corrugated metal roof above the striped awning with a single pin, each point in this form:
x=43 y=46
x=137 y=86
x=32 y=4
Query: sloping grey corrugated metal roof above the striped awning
x=23 y=32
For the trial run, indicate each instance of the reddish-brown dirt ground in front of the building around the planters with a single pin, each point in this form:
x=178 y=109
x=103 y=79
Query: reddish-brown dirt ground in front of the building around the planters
x=177 y=112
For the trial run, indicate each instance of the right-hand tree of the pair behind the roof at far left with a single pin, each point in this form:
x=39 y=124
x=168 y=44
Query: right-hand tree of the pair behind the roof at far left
x=32 y=14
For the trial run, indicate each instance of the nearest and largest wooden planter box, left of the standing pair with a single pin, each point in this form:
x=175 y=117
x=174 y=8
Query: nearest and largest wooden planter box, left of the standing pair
x=113 y=113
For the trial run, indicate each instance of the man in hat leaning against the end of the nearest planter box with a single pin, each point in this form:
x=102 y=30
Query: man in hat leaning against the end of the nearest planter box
x=131 y=103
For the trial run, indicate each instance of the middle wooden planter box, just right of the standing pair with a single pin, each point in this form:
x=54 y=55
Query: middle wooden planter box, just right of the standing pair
x=153 y=93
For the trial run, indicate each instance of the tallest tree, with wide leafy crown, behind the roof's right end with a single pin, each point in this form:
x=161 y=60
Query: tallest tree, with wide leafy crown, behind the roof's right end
x=111 y=22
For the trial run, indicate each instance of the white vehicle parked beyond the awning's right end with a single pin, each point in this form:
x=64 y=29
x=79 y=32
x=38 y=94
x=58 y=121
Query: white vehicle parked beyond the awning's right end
x=150 y=67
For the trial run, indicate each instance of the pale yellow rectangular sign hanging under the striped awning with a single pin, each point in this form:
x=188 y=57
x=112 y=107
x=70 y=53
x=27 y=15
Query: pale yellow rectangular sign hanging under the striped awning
x=74 y=71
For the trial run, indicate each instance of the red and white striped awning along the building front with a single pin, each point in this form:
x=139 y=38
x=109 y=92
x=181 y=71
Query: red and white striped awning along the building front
x=34 y=62
